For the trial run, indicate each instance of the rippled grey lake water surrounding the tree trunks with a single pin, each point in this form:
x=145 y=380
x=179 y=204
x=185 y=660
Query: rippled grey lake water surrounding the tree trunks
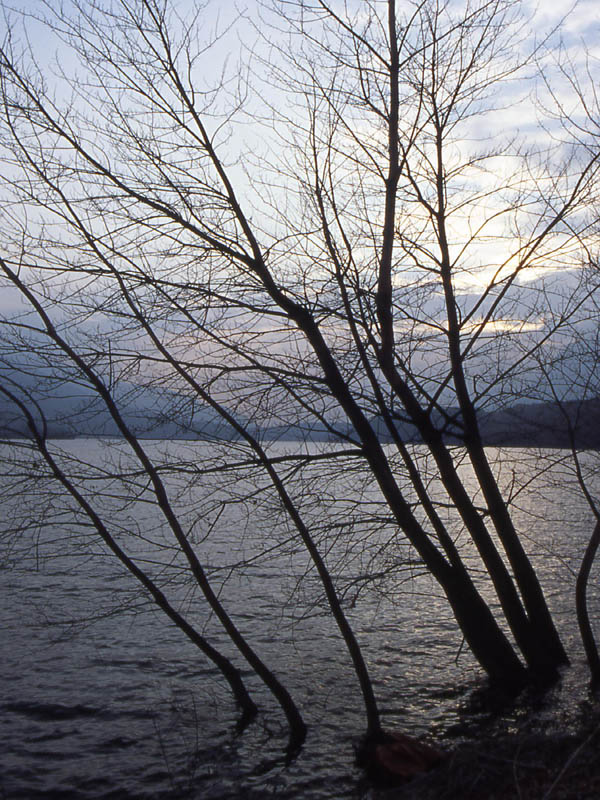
x=101 y=697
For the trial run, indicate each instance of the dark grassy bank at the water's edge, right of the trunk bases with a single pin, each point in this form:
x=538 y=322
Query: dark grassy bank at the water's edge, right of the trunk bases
x=514 y=750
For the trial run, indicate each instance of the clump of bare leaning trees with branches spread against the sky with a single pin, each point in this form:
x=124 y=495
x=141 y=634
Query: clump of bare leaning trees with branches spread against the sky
x=385 y=259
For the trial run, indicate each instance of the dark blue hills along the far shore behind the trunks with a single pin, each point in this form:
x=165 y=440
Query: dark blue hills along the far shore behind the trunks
x=75 y=411
